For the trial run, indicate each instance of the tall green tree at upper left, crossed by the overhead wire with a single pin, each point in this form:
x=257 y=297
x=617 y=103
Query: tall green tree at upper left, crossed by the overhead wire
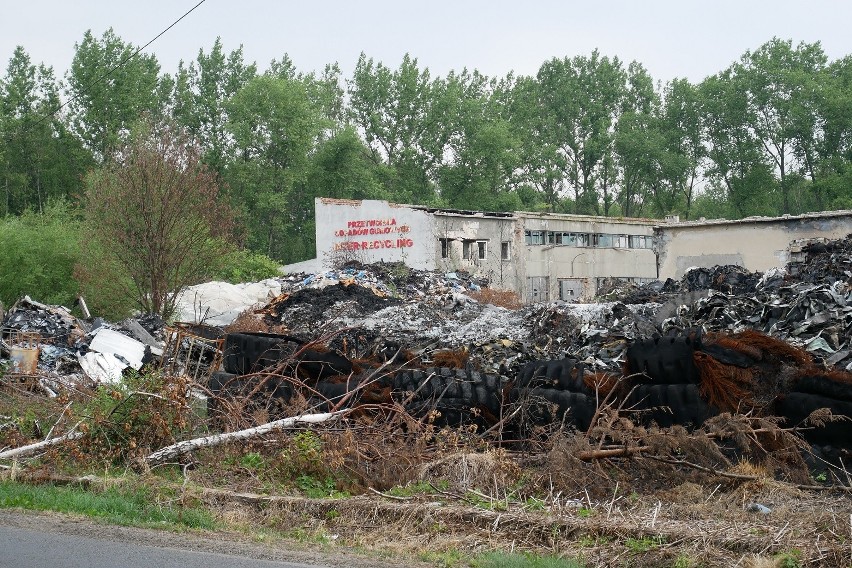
x=109 y=90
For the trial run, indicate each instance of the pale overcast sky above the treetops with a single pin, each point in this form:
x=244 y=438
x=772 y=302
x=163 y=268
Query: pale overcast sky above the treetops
x=671 y=38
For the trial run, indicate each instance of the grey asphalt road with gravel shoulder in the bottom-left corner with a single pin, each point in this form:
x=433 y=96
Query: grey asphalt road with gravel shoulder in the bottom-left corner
x=50 y=540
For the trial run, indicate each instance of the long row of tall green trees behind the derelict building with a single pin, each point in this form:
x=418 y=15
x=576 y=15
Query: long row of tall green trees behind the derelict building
x=590 y=134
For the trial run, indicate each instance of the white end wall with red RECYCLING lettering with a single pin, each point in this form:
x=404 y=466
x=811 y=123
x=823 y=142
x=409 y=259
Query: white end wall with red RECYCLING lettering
x=373 y=231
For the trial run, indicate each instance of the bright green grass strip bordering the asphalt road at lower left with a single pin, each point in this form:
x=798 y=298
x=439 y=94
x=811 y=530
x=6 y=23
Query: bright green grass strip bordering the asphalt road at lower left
x=120 y=506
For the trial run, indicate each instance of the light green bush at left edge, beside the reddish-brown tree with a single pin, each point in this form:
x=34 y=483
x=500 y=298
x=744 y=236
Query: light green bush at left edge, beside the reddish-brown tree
x=39 y=254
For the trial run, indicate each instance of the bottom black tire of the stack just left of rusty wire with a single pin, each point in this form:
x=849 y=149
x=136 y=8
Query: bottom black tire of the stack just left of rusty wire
x=667 y=405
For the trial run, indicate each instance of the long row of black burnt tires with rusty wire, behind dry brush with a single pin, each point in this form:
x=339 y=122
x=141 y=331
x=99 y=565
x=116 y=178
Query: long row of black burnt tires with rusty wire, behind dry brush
x=679 y=379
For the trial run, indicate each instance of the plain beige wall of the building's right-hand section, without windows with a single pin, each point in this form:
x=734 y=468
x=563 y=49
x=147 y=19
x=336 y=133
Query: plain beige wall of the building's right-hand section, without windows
x=756 y=244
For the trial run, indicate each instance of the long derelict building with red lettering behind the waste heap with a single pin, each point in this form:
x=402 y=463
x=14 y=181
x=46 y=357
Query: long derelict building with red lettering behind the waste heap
x=549 y=256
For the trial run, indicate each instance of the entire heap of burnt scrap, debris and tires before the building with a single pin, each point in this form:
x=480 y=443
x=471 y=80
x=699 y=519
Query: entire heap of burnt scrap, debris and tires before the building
x=386 y=336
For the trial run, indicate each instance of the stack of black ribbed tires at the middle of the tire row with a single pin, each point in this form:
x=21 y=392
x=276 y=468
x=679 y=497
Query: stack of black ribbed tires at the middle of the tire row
x=450 y=397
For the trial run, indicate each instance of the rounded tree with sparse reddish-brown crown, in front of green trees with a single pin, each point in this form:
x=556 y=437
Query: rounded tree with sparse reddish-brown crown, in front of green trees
x=155 y=219
